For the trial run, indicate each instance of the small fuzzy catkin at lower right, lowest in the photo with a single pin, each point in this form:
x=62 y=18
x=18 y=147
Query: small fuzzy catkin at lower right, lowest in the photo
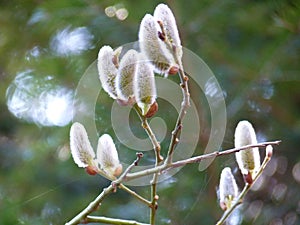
x=228 y=189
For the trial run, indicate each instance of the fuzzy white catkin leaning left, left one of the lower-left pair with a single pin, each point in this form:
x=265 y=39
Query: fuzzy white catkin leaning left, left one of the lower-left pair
x=81 y=149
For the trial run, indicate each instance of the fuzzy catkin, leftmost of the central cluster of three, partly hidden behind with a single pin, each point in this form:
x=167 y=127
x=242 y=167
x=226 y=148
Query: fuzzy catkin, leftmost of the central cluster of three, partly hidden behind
x=108 y=68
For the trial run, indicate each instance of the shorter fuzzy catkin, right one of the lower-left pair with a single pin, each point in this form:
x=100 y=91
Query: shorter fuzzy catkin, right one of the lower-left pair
x=107 y=156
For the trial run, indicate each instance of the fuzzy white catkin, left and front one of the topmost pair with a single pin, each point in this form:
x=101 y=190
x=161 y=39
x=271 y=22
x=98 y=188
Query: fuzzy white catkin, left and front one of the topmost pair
x=154 y=48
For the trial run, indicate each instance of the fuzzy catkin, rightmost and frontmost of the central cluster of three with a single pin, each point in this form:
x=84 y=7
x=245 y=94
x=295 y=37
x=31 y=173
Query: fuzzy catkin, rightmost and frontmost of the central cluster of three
x=144 y=85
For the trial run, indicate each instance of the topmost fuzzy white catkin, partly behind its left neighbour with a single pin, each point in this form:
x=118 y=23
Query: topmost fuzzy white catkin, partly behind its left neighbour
x=164 y=14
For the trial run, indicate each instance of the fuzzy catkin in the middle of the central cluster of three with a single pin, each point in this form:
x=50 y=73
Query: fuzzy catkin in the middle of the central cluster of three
x=125 y=76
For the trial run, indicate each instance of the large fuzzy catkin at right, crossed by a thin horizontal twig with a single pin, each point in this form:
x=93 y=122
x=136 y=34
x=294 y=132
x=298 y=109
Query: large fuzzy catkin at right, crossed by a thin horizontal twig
x=248 y=160
